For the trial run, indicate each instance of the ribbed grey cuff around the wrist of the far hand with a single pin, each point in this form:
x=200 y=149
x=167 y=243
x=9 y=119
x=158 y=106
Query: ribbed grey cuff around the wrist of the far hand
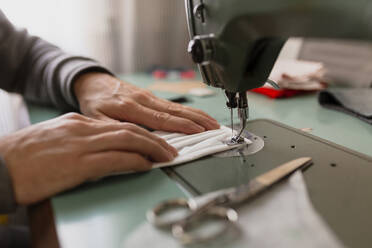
x=70 y=70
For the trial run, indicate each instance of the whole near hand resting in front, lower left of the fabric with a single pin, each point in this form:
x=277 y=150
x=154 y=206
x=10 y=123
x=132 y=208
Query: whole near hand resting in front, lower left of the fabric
x=59 y=154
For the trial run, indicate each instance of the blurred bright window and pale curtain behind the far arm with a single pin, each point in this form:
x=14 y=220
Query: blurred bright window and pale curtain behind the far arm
x=124 y=35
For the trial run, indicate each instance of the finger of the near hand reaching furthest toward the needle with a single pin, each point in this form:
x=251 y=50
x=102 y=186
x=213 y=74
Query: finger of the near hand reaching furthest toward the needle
x=127 y=141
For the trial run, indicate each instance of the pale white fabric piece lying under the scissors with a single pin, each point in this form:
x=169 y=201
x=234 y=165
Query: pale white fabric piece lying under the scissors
x=281 y=217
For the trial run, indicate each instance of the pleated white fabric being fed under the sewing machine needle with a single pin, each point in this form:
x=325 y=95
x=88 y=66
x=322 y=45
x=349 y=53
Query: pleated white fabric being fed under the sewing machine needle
x=191 y=147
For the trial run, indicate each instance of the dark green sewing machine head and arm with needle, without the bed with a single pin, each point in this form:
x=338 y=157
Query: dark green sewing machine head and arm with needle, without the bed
x=236 y=43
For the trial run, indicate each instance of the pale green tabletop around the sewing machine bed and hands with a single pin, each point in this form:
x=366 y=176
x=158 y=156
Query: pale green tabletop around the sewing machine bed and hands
x=106 y=212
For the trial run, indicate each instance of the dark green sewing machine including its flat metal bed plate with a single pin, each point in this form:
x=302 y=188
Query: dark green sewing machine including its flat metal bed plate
x=235 y=44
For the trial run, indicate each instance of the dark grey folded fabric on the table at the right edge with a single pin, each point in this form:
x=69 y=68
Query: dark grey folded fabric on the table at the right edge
x=354 y=101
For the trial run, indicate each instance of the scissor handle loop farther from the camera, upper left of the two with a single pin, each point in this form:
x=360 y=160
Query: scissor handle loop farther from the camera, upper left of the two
x=154 y=215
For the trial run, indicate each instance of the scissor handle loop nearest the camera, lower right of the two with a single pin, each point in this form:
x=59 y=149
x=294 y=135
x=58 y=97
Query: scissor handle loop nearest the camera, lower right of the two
x=183 y=230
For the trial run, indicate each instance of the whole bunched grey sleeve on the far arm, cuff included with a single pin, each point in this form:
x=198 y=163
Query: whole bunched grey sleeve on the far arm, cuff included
x=38 y=70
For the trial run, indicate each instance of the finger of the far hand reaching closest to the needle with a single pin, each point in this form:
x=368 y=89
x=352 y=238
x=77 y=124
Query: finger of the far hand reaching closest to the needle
x=179 y=110
